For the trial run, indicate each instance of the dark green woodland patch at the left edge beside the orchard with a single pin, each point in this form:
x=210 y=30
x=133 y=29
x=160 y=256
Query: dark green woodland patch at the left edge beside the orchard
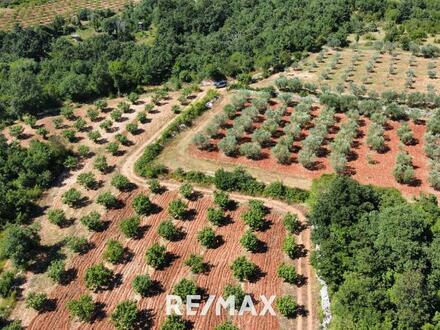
x=24 y=174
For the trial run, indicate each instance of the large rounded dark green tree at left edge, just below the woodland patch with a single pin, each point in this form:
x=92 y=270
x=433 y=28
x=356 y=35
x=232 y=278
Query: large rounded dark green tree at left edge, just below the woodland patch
x=19 y=244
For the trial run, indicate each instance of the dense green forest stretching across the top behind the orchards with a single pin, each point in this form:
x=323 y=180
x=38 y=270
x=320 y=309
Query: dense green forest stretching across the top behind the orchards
x=189 y=40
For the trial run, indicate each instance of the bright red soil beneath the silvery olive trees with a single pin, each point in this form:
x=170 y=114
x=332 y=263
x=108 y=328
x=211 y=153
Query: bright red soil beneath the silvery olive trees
x=380 y=173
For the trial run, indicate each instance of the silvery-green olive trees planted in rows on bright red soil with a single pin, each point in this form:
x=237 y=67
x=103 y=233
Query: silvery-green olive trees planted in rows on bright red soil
x=250 y=124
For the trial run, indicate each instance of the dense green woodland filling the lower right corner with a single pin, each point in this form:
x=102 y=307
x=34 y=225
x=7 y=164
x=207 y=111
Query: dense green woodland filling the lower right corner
x=378 y=254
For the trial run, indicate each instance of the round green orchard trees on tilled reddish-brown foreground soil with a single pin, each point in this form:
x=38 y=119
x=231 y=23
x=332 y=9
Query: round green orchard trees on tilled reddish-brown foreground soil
x=98 y=277
